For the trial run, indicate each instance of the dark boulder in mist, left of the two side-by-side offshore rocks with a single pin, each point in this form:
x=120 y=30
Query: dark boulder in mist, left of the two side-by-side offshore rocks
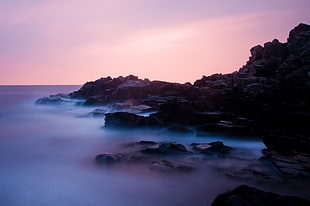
x=168 y=148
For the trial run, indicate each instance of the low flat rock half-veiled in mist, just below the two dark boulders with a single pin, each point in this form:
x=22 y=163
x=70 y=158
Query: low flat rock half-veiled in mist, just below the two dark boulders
x=165 y=165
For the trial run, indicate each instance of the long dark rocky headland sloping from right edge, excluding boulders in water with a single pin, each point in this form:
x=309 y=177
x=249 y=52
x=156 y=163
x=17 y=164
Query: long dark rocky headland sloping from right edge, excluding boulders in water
x=270 y=94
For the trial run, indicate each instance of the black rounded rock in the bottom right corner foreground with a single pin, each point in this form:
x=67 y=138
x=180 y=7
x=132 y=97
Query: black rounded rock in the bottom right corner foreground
x=244 y=195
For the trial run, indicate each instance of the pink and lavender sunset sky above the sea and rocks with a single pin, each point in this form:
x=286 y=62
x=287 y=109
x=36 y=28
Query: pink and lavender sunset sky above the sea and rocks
x=51 y=42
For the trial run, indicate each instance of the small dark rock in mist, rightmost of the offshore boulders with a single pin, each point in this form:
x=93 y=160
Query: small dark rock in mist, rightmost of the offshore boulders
x=212 y=148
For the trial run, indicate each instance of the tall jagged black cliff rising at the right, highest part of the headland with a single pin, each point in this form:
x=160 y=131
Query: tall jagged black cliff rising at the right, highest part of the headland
x=272 y=89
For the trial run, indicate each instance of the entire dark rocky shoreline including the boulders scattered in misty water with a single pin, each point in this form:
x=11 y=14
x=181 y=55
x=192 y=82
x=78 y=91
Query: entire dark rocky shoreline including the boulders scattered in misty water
x=268 y=97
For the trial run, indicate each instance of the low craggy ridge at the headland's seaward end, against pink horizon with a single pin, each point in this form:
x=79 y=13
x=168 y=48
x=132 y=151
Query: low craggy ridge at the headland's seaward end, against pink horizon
x=131 y=90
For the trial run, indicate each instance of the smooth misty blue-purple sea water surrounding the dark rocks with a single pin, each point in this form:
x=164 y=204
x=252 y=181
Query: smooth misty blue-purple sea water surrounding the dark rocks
x=47 y=158
